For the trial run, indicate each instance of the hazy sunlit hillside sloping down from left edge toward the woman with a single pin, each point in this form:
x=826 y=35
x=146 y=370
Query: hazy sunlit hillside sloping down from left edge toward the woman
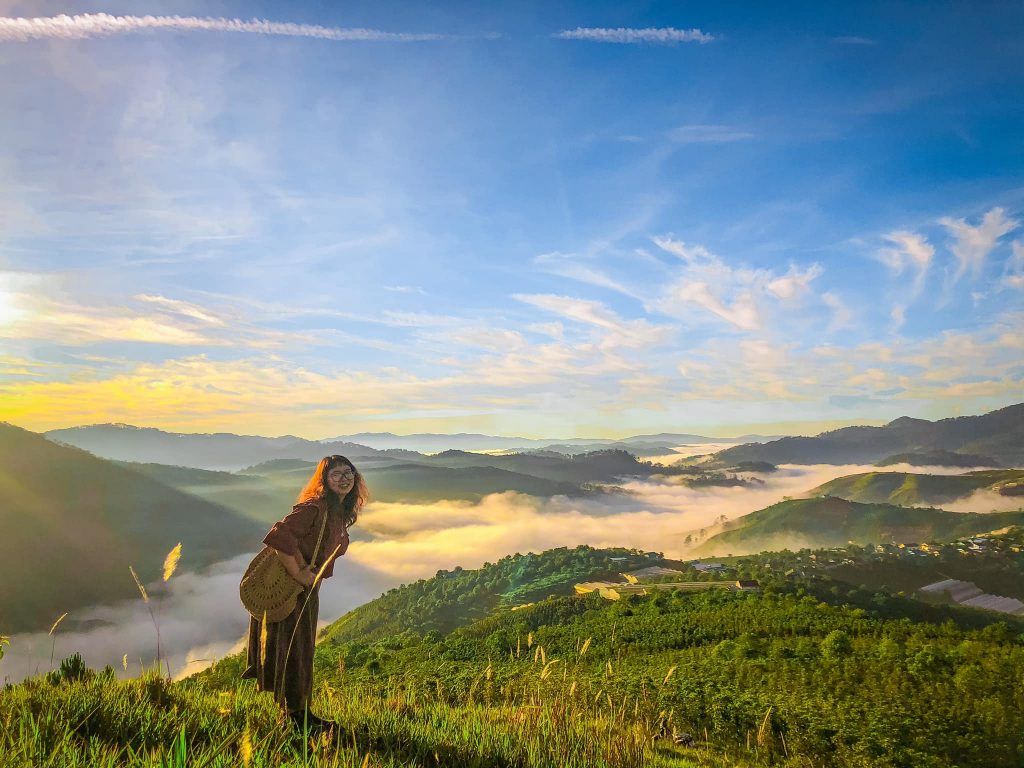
x=72 y=525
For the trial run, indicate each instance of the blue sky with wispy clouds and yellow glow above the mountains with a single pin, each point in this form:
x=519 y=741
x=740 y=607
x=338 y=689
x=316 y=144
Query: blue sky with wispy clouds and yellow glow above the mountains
x=539 y=220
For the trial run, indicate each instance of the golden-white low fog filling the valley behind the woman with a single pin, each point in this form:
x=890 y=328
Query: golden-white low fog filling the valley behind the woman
x=201 y=618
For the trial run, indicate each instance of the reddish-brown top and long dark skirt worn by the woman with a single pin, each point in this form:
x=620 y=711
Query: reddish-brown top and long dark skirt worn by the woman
x=288 y=673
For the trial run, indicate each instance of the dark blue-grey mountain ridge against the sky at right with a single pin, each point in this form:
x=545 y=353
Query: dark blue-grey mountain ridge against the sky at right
x=999 y=435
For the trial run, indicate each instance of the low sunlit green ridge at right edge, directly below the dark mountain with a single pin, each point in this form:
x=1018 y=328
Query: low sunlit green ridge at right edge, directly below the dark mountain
x=913 y=489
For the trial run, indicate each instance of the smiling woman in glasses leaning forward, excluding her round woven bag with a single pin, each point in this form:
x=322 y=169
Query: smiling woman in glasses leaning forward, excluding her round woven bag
x=336 y=490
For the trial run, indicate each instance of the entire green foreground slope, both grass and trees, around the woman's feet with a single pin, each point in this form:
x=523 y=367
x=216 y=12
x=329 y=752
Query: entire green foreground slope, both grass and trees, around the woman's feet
x=479 y=669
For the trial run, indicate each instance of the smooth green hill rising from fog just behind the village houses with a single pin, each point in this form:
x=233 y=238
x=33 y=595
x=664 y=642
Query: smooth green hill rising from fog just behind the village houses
x=831 y=522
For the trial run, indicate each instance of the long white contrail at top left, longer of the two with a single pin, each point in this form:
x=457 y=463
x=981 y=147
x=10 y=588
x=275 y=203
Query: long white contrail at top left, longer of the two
x=96 y=25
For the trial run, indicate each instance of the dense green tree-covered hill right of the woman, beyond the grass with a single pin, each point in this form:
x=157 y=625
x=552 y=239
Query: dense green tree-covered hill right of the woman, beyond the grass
x=806 y=671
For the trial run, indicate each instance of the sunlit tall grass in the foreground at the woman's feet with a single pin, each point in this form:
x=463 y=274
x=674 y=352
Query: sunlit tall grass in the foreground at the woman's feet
x=101 y=721
